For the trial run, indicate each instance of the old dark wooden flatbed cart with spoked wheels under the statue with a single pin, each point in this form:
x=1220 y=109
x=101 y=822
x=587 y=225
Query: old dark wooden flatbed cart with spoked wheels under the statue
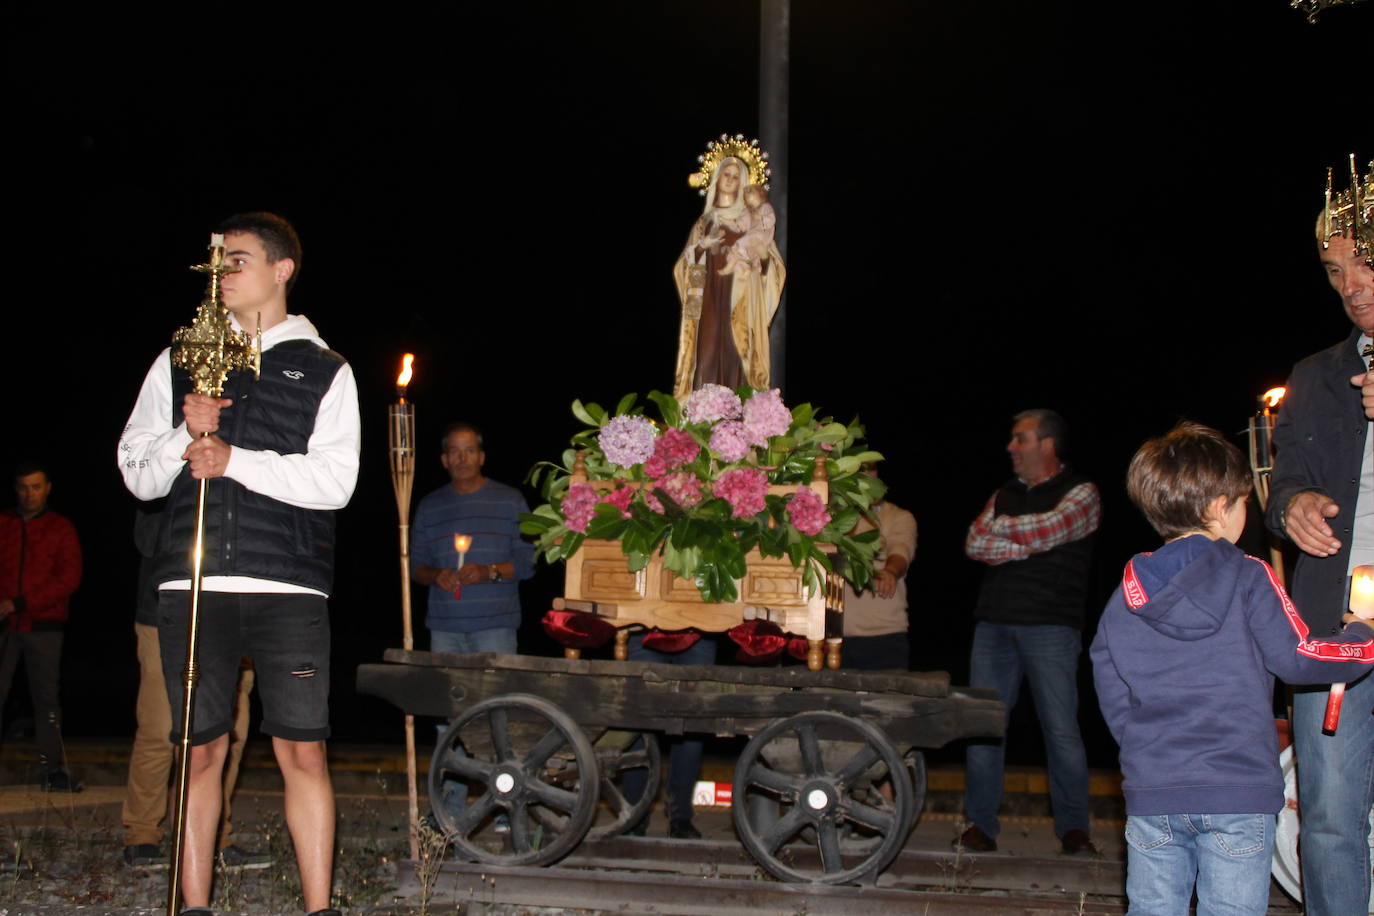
x=545 y=748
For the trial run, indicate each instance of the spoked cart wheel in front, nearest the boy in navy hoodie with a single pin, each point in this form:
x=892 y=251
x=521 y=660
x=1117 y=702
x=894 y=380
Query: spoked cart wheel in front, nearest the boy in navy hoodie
x=820 y=770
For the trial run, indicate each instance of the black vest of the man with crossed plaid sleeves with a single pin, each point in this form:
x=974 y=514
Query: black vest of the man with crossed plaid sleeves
x=1044 y=588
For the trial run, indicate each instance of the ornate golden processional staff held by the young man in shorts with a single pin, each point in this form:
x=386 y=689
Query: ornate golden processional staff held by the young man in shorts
x=210 y=348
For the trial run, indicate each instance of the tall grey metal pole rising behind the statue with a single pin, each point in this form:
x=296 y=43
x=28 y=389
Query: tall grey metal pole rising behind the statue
x=774 y=68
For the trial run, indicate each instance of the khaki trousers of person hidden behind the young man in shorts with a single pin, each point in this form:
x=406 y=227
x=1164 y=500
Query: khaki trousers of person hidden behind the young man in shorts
x=148 y=801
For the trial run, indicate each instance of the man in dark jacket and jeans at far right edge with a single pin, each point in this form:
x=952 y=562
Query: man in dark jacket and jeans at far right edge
x=1322 y=499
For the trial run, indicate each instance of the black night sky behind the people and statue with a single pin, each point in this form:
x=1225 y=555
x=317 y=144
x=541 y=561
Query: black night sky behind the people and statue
x=1099 y=208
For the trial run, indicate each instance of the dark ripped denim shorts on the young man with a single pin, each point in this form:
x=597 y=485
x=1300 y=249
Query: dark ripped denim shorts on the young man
x=288 y=638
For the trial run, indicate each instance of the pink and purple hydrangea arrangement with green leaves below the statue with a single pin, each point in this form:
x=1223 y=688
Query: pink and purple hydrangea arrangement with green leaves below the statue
x=696 y=488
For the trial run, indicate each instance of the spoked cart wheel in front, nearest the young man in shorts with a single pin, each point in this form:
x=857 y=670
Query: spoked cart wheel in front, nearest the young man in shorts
x=532 y=778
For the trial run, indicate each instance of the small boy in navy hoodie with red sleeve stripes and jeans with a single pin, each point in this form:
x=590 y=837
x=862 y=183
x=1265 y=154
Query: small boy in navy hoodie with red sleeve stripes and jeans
x=1185 y=661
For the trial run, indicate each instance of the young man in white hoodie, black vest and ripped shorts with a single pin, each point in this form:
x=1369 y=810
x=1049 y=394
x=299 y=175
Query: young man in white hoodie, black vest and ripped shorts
x=281 y=455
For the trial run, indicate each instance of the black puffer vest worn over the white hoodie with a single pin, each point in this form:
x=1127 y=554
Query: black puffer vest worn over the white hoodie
x=248 y=534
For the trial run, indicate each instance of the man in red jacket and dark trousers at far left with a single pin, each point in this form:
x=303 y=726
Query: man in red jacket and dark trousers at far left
x=41 y=568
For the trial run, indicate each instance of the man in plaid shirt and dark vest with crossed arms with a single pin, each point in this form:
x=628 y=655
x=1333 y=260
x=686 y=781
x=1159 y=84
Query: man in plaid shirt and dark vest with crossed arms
x=1035 y=536
